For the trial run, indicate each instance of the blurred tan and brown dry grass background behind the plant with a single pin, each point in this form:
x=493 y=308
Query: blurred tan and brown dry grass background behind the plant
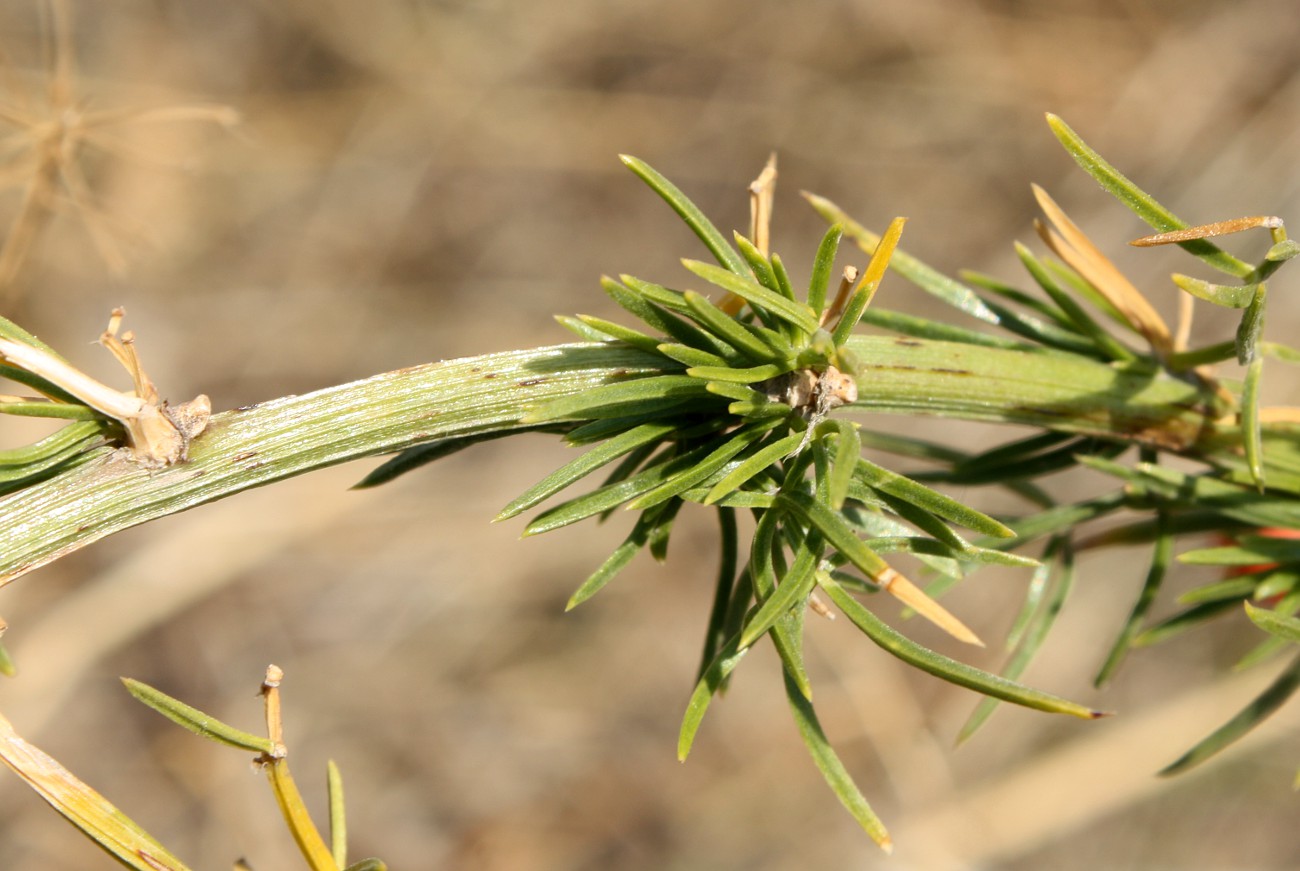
x=421 y=180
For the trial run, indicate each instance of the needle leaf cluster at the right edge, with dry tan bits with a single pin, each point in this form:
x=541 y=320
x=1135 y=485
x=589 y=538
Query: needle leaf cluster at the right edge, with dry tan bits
x=1238 y=479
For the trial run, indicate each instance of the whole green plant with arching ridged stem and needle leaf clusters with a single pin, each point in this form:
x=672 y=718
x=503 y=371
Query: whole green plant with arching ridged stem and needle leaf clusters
x=740 y=405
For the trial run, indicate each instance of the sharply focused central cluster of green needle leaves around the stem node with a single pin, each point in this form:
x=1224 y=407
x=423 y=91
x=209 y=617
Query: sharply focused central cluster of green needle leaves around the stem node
x=739 y=415
